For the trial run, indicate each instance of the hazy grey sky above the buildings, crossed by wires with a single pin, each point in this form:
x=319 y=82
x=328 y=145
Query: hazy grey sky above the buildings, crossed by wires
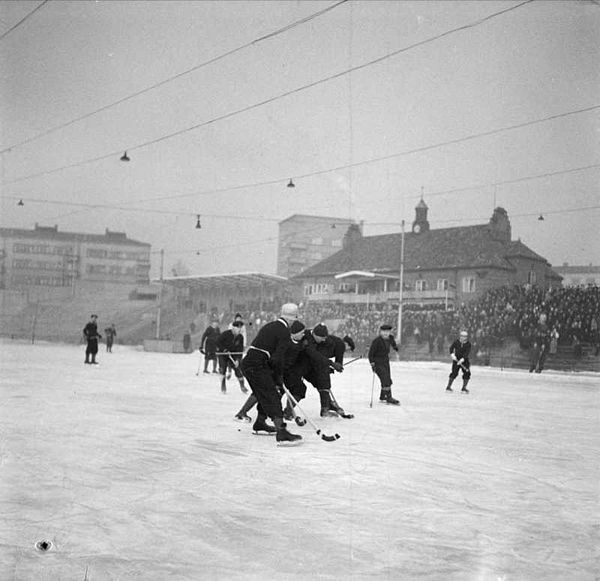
x=364 y=105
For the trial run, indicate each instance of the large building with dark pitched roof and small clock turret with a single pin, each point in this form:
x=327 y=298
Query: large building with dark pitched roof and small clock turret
x=440 y=267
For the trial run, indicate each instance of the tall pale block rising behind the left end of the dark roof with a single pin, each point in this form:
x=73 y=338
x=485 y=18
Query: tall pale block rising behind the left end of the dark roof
x=305 y=240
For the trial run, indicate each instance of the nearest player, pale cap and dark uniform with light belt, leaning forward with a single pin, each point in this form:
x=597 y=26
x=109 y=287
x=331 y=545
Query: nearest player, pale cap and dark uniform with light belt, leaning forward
x=263 y=368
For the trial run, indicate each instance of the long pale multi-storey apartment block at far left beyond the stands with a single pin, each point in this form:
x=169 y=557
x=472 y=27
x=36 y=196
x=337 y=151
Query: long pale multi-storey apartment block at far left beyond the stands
x=46 y=258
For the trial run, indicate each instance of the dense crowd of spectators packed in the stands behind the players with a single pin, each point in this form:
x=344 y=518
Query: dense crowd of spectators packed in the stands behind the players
x=569 y=315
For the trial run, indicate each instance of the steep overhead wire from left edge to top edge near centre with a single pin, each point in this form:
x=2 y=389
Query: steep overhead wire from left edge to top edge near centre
x=213 y=60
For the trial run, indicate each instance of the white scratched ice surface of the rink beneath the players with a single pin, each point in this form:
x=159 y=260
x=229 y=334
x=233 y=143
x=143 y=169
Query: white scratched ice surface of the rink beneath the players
x=134 y=469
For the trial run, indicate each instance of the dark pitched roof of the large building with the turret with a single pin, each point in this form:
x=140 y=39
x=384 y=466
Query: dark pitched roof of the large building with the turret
x=465 y=246
